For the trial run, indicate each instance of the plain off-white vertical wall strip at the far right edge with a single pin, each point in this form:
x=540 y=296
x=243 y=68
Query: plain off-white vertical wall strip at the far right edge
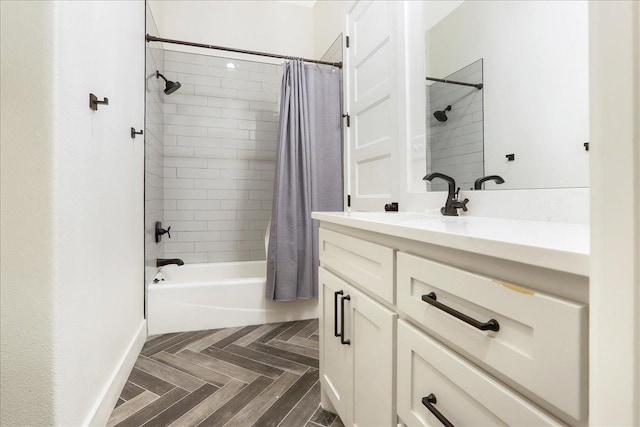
x=614 y=309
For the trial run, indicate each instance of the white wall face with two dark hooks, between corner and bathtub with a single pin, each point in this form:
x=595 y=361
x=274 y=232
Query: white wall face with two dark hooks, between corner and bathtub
x=98 y=197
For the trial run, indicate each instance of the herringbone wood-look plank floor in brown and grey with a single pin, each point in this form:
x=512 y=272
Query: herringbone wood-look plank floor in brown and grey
x=262 y=376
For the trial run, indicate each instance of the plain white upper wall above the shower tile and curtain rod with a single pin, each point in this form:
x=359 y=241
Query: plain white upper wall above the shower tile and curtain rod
x=267 y=26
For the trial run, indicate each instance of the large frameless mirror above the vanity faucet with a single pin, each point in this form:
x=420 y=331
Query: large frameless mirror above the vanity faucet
x=533 y=60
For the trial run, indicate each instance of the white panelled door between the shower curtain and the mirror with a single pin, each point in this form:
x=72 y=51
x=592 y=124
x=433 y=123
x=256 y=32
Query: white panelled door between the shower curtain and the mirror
x=372 y=84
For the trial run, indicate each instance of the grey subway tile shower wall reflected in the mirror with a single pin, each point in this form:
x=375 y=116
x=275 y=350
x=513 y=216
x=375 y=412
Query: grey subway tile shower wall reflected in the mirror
x=456 y=147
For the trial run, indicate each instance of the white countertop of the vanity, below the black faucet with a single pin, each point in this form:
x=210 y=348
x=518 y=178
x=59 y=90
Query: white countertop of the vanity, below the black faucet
x=557 y=246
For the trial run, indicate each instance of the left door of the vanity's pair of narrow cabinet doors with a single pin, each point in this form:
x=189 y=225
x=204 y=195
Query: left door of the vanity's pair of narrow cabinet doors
x=335 y=358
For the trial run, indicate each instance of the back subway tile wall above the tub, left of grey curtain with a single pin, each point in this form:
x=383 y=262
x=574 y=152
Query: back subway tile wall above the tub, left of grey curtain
x=219 y=156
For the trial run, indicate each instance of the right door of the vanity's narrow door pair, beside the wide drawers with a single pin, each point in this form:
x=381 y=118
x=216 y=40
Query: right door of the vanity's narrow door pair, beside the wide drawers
x=373 y=332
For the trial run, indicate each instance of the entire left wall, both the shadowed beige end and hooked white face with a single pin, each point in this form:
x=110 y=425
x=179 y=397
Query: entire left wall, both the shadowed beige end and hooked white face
x=74 y=254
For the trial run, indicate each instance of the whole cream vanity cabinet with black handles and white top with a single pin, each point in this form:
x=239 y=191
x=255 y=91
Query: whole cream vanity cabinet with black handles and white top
x=440 y=335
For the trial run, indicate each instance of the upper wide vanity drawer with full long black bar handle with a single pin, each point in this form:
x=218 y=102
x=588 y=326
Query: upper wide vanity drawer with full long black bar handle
x=541 y=343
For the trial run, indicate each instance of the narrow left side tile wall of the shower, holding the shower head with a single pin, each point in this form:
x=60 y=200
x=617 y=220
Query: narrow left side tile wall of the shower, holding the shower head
x=154 y=154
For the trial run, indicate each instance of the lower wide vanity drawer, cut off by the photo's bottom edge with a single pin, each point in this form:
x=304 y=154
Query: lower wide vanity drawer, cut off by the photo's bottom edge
x=463 y=394
